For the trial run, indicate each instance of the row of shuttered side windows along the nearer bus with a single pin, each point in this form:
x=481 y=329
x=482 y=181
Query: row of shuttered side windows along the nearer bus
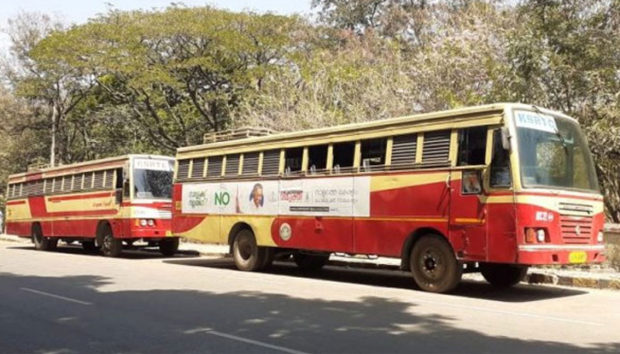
x=398 y=152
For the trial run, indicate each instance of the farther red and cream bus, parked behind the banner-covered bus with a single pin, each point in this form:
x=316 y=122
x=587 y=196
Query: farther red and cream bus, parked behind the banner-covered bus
x=102 y=204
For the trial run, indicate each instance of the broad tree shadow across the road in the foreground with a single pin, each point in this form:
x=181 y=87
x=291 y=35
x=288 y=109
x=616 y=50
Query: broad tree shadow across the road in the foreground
x=178 y=321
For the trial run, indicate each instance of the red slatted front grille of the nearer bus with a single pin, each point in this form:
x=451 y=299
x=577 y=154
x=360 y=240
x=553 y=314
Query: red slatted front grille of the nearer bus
x=576 y=223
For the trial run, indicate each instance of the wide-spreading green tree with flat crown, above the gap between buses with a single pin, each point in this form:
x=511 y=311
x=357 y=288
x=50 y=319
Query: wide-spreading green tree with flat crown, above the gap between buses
x=182 y=71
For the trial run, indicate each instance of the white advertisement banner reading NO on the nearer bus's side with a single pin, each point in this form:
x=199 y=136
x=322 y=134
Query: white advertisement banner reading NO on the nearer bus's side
x=347 y=196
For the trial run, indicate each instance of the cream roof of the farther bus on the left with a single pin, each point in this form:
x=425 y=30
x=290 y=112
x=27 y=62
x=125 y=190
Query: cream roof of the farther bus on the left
x=105 y=163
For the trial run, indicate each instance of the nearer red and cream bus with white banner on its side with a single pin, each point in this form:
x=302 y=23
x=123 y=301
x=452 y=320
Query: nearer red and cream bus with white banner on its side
x=493 y=188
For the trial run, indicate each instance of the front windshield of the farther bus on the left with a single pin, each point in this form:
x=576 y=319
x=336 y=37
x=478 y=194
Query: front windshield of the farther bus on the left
x=152 y=179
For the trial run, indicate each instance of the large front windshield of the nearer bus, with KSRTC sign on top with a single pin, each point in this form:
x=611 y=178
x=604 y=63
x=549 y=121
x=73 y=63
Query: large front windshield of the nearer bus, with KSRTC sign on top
x=553 y=153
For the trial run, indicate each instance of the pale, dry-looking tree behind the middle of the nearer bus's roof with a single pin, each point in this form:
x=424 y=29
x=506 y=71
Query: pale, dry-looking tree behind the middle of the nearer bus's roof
x=336 y=77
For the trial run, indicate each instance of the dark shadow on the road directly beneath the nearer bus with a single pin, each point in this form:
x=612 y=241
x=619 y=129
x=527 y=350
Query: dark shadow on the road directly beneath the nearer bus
x=397 y=279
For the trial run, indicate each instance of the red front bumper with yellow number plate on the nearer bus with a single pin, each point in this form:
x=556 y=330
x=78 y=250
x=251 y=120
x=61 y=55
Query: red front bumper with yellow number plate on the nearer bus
x=560 y=254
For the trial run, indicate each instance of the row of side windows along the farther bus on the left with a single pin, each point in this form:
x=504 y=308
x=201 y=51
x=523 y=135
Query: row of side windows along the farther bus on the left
x=79 y=182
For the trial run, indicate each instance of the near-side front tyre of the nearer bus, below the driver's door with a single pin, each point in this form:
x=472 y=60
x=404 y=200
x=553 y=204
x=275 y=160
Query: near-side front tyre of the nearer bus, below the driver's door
x=434 y=266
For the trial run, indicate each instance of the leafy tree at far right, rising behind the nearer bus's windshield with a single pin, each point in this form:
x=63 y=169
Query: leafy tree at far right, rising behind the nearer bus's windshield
x=565 y=55
